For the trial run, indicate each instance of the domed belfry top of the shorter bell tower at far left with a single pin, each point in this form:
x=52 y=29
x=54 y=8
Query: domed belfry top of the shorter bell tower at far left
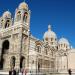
x=6 y=20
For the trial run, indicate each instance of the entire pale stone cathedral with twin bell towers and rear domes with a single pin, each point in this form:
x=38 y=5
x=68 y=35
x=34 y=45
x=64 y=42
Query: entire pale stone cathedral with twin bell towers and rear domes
x=21 y=50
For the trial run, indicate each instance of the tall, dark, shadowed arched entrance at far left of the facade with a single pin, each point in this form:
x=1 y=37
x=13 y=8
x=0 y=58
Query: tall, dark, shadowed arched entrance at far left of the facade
x=5 y=47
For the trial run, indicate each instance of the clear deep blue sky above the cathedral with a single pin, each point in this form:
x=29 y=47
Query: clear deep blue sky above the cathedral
x=59 y=13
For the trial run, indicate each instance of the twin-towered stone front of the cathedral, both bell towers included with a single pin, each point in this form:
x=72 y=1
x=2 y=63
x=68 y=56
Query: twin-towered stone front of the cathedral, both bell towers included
x=14 y=39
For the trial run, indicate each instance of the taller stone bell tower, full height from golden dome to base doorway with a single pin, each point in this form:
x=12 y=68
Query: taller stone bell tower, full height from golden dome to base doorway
x=22 y=25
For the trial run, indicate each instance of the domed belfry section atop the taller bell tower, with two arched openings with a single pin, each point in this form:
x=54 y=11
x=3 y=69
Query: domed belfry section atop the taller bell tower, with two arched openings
x=22 y=15
